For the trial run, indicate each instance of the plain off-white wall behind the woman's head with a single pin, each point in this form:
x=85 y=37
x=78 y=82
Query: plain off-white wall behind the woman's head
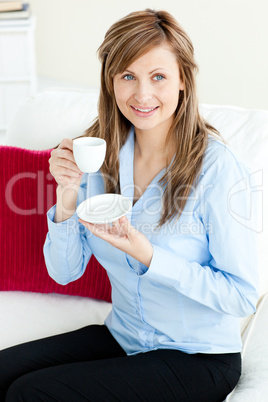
x=230 y=39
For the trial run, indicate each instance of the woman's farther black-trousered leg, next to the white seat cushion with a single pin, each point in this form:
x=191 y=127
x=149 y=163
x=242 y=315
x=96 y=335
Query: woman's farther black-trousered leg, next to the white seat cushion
x=89 y=343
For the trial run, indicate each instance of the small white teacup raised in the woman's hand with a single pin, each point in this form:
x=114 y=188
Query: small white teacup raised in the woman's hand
x=89 y=153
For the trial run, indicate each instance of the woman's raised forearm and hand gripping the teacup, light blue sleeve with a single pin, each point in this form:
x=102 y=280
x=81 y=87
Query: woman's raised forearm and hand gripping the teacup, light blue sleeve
x=66 y=248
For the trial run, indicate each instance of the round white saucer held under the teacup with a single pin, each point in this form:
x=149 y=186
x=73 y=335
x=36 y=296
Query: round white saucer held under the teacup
x=104 y=208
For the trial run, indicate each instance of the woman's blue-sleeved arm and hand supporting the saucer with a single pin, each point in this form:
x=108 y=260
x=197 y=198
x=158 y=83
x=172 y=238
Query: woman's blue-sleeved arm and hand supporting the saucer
x=228 y=282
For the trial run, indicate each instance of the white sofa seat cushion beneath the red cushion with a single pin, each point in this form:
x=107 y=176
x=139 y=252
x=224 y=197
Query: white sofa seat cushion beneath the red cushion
x=28 y=316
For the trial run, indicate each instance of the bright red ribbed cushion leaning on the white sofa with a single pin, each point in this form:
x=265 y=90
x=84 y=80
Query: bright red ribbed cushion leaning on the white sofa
x=27 y=192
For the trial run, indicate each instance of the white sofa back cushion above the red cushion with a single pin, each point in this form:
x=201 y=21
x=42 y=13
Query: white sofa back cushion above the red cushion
x=43 y=120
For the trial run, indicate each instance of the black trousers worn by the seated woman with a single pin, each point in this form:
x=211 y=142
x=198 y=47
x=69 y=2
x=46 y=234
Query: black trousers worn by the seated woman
x=89 y=365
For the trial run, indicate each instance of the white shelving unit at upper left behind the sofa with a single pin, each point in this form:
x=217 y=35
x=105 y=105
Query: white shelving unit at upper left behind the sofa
x=17 y=67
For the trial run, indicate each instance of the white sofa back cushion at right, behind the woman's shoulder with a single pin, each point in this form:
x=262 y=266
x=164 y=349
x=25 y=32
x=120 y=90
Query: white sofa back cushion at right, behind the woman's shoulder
x=246 y=131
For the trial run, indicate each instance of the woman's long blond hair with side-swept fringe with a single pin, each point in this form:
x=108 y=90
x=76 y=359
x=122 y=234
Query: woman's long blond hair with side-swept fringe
x=125 y=41
